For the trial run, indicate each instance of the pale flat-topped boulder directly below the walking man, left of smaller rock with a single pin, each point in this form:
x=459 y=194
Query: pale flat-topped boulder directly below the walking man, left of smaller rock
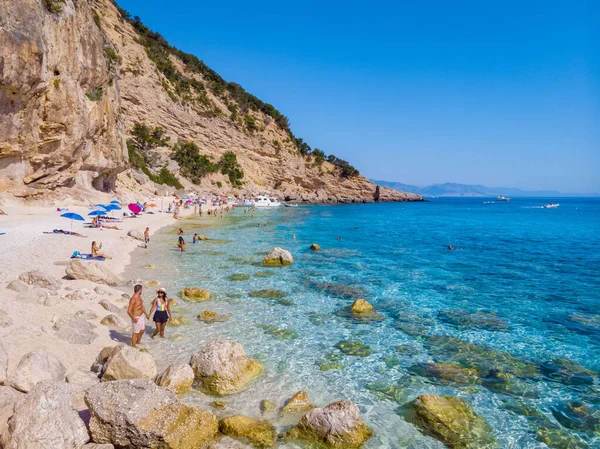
x=126 y=362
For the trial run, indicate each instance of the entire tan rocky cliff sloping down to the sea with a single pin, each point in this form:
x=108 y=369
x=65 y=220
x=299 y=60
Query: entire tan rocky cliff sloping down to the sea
x=76 y=75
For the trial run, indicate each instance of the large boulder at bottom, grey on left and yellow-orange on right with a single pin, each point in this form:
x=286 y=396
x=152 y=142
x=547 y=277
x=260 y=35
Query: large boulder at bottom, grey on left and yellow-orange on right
x=138 y=414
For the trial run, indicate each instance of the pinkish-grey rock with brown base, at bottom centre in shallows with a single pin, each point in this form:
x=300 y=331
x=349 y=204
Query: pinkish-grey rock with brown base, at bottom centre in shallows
x=339 y=425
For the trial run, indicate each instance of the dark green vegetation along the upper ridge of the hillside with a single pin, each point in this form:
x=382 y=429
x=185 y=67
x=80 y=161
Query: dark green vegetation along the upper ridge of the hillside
x=189 y=89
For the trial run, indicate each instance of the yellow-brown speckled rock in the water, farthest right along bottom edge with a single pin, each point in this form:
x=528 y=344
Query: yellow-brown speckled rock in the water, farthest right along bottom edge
x=452 y=421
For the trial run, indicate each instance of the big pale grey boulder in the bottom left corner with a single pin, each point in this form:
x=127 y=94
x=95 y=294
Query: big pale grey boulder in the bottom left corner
x=45 y=418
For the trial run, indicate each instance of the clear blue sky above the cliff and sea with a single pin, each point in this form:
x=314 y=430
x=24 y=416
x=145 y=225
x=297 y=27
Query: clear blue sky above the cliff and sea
x=416 y=91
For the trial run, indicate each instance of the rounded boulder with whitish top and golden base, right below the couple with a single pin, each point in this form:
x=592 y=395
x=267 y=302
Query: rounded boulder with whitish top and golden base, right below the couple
x=222 y=368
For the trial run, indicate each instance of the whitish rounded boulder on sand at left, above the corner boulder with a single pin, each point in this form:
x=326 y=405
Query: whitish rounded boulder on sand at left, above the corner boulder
x=34 y=367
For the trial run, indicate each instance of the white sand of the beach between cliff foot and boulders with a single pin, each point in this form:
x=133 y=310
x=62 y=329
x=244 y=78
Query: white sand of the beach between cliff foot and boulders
x=24 y=247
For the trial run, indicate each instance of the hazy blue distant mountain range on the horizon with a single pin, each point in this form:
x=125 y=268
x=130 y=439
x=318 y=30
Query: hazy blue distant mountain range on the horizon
x=467 y=190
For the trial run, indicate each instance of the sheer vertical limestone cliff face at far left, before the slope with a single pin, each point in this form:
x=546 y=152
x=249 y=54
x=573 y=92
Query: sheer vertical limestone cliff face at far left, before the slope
x=52 y=134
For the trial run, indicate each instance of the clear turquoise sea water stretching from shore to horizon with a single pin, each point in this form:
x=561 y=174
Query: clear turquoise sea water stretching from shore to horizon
x=532 y=273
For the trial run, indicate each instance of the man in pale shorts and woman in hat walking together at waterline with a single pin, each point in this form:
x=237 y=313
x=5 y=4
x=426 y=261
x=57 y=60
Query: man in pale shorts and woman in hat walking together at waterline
x=161 y=308
